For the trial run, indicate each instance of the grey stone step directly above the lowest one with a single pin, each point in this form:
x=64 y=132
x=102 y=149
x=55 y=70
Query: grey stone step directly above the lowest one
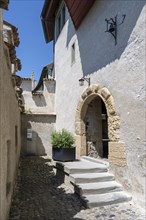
x=97 y=188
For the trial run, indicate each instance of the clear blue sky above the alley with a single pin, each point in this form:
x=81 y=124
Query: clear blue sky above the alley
x=33 y=50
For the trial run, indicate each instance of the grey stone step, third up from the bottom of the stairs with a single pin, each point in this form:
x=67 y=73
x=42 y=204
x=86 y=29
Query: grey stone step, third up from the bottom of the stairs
x=91 y=177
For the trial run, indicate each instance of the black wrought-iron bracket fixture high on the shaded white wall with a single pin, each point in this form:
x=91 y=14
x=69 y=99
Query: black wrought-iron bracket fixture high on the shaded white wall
x=112 y=26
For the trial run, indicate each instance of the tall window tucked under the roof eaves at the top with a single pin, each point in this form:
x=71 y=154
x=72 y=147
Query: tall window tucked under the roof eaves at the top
x=60 y=20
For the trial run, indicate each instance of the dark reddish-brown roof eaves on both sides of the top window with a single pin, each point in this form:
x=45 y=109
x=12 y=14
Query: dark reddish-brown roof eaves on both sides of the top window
x=78 y=9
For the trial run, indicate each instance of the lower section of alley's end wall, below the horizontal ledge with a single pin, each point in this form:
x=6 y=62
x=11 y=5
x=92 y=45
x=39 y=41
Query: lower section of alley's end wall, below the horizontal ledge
x=36 y=131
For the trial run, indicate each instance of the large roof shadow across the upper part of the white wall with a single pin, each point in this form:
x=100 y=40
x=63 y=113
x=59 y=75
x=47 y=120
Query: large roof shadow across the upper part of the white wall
x=97 y=48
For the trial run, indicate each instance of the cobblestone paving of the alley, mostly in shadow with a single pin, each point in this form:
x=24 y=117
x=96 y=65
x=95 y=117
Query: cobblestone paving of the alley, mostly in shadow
x=40 y=195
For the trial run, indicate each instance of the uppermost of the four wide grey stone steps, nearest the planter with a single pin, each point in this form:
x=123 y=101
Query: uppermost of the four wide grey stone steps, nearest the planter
x=77 y=167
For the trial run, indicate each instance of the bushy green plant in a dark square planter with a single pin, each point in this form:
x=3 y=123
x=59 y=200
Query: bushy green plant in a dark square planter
x=62 y=146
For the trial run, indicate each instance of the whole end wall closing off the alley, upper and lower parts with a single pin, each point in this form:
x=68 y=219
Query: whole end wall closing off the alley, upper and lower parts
x=39 y=118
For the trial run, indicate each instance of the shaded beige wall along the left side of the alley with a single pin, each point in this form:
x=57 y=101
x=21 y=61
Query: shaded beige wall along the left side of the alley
x=10 y=140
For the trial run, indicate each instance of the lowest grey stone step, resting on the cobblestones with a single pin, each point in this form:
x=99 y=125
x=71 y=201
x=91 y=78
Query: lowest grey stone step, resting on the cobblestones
x=91 y=201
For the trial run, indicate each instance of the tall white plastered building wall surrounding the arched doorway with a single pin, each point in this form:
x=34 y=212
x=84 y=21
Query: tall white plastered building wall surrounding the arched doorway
x=118 y=68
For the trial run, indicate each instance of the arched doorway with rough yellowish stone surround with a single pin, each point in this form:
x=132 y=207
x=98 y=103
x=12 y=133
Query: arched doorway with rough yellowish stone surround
x=96 y=122
